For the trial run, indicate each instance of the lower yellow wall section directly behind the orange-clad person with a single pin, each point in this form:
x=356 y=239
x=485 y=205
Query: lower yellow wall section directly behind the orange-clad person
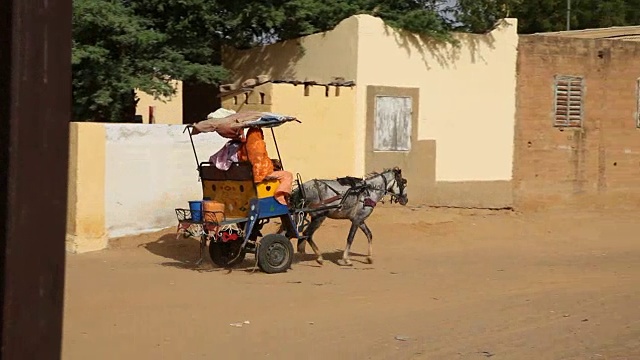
x=322 y=145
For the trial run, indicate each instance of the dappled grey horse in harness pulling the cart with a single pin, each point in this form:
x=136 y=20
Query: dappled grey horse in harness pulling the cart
x=358 y=198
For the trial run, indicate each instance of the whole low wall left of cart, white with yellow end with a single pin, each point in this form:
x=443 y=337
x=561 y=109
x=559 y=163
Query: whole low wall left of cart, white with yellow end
x=126 y=179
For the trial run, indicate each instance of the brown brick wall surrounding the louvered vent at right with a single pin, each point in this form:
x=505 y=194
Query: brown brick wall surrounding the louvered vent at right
x=596 y=164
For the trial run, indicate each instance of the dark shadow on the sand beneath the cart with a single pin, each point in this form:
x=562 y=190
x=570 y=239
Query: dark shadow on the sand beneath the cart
x=183 y=253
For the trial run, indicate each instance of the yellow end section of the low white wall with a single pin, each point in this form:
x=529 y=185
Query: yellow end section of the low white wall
x=86 y=188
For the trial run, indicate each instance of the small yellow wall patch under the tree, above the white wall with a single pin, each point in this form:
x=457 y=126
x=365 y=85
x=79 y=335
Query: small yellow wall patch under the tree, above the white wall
x=167 y=110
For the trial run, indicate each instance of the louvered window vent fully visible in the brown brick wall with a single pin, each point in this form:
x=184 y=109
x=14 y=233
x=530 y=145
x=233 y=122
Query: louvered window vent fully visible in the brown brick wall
x=569 y=91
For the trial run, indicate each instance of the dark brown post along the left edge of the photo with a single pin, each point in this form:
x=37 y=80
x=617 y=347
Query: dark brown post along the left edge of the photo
x=35 y=103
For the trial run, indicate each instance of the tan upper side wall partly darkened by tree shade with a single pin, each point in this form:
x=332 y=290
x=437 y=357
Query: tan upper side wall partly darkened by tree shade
x=318 y=57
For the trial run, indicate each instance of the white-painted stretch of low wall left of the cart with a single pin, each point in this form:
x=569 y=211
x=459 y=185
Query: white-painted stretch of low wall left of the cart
x=150 y=171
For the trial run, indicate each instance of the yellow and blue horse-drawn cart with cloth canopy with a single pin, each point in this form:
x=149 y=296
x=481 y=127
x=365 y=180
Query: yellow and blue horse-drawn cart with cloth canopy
x=236 y=206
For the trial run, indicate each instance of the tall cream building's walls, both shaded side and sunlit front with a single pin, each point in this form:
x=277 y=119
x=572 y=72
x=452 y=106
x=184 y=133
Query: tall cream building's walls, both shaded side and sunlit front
x=466 y=92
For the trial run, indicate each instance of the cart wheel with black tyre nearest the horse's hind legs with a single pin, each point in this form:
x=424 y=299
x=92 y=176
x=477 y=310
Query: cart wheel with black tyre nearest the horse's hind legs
x=275 y=253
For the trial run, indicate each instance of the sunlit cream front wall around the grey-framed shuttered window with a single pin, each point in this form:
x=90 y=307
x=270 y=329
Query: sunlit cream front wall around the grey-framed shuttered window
x=467 y=94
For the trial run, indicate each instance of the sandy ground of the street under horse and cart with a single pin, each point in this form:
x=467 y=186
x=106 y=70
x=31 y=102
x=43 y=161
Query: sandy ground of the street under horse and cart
x=445 y=284
